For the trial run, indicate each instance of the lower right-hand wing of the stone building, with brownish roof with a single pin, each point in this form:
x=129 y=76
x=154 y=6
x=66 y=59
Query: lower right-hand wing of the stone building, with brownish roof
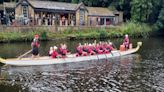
x=103 y=16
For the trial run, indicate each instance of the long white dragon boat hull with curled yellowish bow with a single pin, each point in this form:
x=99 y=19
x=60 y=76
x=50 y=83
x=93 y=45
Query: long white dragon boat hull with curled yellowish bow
x=71 y=58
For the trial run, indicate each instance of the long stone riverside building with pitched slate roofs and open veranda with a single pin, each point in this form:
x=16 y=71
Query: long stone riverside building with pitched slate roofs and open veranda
x=36 y=12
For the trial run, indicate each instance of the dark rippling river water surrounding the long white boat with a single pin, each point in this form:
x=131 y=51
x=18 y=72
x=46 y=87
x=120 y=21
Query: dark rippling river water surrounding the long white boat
x=139 y=72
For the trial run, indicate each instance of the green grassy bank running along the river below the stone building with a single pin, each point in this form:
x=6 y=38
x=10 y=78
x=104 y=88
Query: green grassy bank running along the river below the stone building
x=134 y=30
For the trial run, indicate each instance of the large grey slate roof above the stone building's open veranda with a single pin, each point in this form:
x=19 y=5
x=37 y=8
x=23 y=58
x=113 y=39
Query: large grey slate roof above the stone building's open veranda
x=53 y=5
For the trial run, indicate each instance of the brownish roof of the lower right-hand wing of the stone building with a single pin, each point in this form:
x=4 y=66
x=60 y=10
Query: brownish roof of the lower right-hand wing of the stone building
x=99 y=11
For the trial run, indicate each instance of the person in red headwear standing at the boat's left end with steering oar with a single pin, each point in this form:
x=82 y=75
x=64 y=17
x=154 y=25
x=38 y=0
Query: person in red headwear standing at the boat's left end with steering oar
x=35 y=46
